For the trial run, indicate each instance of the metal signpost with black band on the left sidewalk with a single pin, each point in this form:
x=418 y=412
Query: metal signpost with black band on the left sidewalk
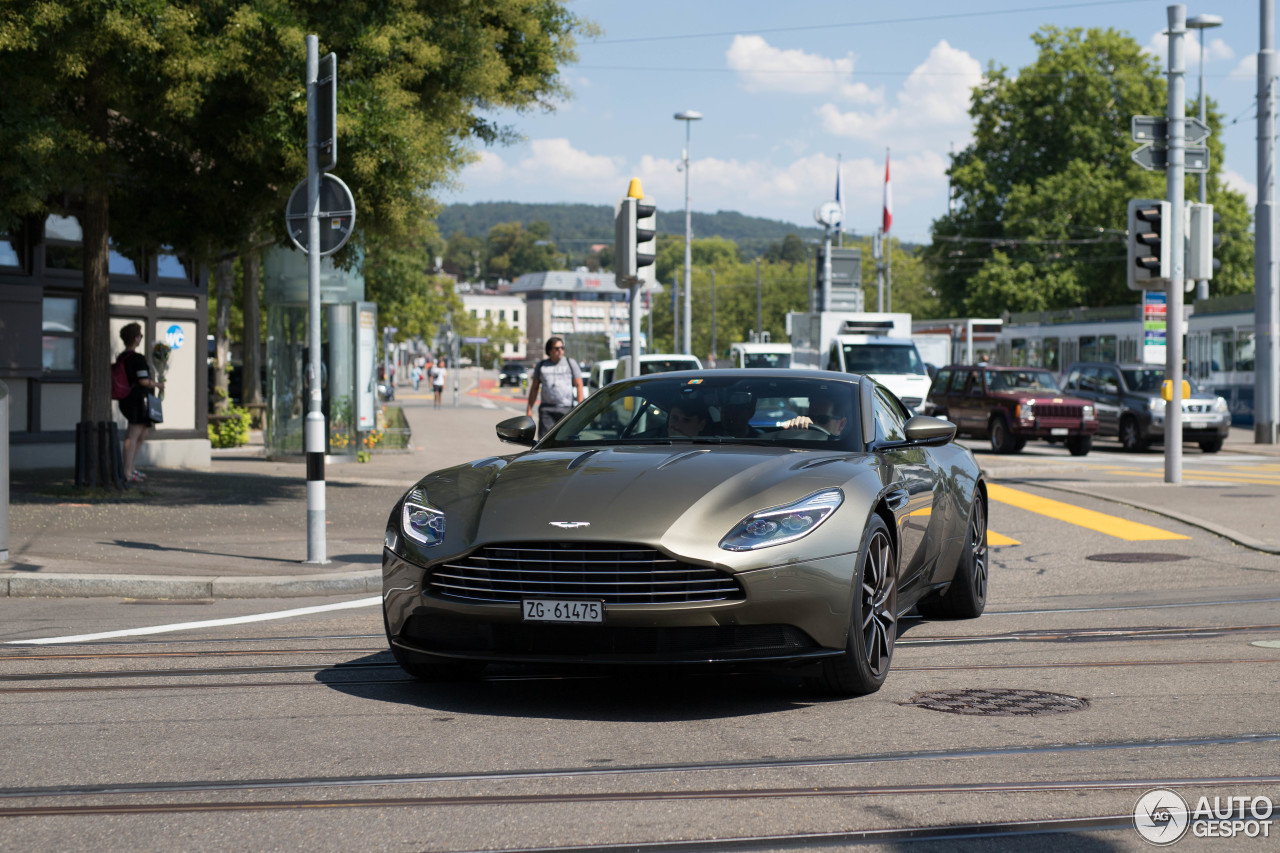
x=314 y=437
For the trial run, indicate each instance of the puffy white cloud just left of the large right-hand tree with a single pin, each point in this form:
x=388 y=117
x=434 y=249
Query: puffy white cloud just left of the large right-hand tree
x=935 y=98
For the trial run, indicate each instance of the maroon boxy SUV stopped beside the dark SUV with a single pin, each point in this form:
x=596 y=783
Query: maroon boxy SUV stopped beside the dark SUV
x=1011 y=407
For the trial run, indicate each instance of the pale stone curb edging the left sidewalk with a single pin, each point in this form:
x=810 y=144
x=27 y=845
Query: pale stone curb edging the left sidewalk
x=157 y=587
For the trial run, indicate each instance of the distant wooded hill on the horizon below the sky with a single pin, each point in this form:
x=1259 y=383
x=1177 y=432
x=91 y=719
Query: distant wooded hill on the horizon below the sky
x=577 y=226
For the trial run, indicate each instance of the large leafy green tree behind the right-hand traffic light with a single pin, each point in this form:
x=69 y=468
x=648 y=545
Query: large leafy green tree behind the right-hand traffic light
x=1043 y=191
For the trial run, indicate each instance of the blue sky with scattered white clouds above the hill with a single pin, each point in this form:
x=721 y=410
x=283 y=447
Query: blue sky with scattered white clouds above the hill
x=787 y=92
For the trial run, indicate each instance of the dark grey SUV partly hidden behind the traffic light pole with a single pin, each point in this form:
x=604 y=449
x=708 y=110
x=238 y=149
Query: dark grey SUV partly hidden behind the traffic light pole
x=1131 y=407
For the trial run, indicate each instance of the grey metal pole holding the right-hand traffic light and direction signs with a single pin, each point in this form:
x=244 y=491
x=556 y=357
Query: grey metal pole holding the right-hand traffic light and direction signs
x=1176 y=189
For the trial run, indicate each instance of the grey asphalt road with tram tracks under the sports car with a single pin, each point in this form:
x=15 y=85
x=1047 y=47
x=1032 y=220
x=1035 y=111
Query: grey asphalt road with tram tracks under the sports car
x=1162 y=638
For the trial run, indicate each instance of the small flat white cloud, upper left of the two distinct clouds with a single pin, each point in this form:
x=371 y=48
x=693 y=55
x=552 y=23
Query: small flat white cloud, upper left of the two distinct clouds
x=764 y=69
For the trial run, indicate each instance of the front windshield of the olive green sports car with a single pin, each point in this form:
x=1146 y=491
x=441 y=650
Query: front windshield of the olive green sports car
x=676 y=408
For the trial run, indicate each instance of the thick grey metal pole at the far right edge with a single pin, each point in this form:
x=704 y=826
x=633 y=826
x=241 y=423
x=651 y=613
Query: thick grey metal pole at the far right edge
x=1267 y=311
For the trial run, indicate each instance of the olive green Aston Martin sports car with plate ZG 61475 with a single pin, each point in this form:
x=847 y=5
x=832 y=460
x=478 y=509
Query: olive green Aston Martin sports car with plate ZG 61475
x=664 y=521
